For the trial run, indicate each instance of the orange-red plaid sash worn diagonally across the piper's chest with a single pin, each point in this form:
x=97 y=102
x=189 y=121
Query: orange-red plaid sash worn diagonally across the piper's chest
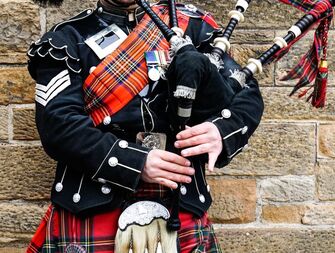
x=123 y=73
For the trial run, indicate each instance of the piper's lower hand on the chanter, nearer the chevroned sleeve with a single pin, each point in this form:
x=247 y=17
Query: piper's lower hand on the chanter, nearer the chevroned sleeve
x=166 y=168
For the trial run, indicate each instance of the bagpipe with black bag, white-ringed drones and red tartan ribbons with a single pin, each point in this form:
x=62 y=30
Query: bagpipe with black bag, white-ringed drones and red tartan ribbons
x=191 y=73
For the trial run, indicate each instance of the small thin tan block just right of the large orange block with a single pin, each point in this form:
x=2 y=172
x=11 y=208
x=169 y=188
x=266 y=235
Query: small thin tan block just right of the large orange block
x=283 y=213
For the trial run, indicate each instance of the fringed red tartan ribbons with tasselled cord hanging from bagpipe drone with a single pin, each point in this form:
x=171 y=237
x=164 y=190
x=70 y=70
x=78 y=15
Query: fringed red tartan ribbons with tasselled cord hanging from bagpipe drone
x=312 y=65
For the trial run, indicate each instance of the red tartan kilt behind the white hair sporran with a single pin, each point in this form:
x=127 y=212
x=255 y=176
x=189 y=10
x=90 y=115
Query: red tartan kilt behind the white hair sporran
x=60 y=230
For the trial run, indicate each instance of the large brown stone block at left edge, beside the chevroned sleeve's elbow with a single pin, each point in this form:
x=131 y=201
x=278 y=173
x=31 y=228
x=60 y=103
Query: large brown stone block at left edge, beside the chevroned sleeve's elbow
x=27 y=172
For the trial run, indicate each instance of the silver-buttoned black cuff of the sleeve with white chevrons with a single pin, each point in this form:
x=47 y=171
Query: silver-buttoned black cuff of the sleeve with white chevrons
x=122 y=166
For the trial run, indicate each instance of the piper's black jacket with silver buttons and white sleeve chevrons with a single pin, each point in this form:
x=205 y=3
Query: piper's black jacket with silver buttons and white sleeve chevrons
x=99 y=167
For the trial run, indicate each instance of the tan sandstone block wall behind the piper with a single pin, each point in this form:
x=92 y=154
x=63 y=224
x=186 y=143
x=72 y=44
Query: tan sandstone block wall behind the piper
x=279 y=196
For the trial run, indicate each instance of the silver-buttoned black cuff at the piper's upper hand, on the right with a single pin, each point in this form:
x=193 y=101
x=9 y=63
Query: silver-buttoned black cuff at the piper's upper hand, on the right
x=234 y=136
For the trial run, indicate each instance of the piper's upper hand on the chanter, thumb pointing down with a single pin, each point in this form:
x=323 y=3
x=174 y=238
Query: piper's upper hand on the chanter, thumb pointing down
x=201 y=139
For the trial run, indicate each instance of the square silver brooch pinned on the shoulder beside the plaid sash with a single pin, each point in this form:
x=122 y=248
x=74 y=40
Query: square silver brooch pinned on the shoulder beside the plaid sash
x=106 y=41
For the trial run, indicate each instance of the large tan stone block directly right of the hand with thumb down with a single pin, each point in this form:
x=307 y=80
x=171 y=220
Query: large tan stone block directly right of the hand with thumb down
x=277 y=148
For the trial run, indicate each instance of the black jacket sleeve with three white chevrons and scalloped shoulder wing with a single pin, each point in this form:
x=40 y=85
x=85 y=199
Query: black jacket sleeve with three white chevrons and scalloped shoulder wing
x=66 y=131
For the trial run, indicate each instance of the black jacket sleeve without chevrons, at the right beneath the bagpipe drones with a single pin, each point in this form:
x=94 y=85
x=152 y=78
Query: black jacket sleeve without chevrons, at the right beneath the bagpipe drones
x=238 y=121
